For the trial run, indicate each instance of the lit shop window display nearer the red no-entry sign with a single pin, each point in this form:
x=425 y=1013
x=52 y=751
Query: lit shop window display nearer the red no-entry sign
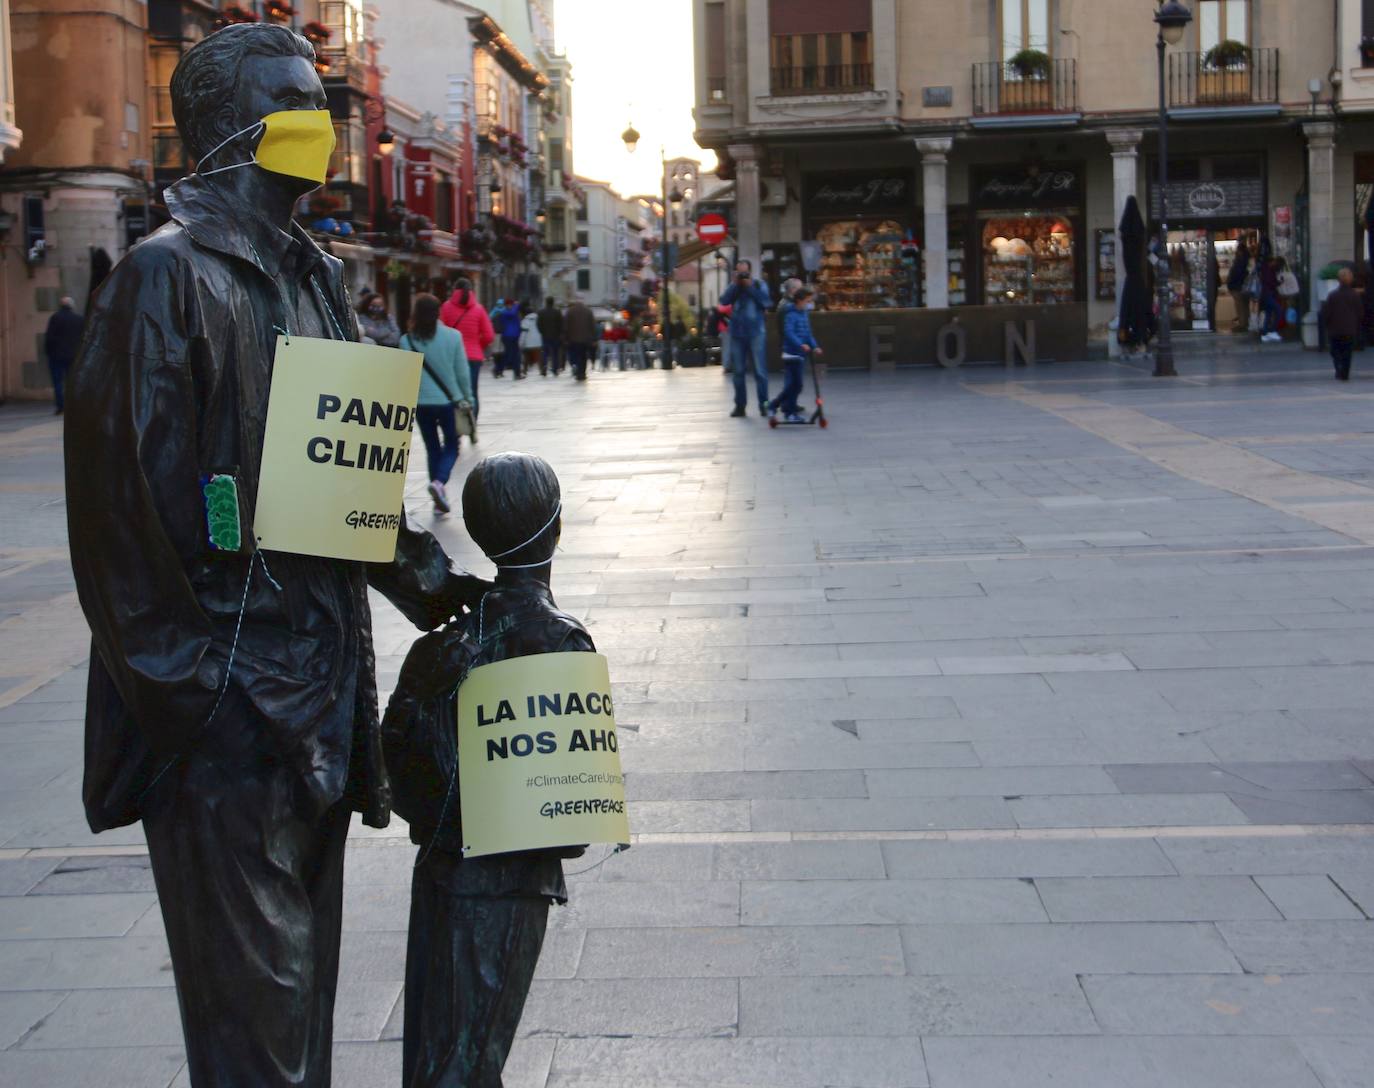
x=862 y=266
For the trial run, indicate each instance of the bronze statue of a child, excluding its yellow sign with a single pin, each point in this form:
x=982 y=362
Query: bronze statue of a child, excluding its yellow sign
x=477 y=925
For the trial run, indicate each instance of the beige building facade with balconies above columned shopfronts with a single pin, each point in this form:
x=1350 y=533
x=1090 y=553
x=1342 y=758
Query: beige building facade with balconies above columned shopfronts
x=979 y=153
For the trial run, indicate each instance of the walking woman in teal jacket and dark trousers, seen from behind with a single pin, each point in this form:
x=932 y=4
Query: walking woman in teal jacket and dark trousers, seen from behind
x=446 y=383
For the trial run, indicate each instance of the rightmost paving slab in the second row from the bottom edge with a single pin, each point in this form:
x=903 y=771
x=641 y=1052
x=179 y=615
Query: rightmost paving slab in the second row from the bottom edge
x=1232 y=1005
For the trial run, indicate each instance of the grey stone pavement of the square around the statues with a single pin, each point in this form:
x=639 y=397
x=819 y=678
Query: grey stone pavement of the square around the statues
x=1013 y=732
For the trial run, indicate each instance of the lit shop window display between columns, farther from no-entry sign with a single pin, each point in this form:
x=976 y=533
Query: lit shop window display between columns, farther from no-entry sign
x=1028 y=260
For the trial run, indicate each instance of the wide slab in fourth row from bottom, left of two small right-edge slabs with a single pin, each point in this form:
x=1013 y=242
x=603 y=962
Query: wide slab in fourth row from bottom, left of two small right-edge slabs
x=1153 y=899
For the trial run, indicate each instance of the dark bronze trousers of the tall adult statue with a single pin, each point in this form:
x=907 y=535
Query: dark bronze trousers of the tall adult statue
x=252 y=898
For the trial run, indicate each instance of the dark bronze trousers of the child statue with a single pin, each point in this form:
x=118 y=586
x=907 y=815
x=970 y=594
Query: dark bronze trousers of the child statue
x=469 y=965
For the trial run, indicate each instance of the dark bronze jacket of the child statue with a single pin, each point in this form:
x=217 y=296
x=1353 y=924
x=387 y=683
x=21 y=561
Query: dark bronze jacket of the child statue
x=517 y=619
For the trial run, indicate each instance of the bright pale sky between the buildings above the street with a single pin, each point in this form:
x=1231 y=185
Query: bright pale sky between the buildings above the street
x=633 y=61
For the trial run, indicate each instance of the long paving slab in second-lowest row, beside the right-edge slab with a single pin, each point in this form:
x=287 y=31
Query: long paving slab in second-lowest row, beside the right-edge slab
x=928 y=1006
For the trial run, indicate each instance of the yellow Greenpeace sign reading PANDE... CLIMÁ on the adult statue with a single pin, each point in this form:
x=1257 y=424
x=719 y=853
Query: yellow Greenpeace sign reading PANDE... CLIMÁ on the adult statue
x=339 y=442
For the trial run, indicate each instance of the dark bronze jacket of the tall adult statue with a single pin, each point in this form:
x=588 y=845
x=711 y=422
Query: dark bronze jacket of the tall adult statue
x=172 y=384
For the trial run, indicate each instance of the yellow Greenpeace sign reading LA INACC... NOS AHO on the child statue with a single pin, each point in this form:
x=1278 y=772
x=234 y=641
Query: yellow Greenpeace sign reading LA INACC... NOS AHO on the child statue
x=538 y=758
